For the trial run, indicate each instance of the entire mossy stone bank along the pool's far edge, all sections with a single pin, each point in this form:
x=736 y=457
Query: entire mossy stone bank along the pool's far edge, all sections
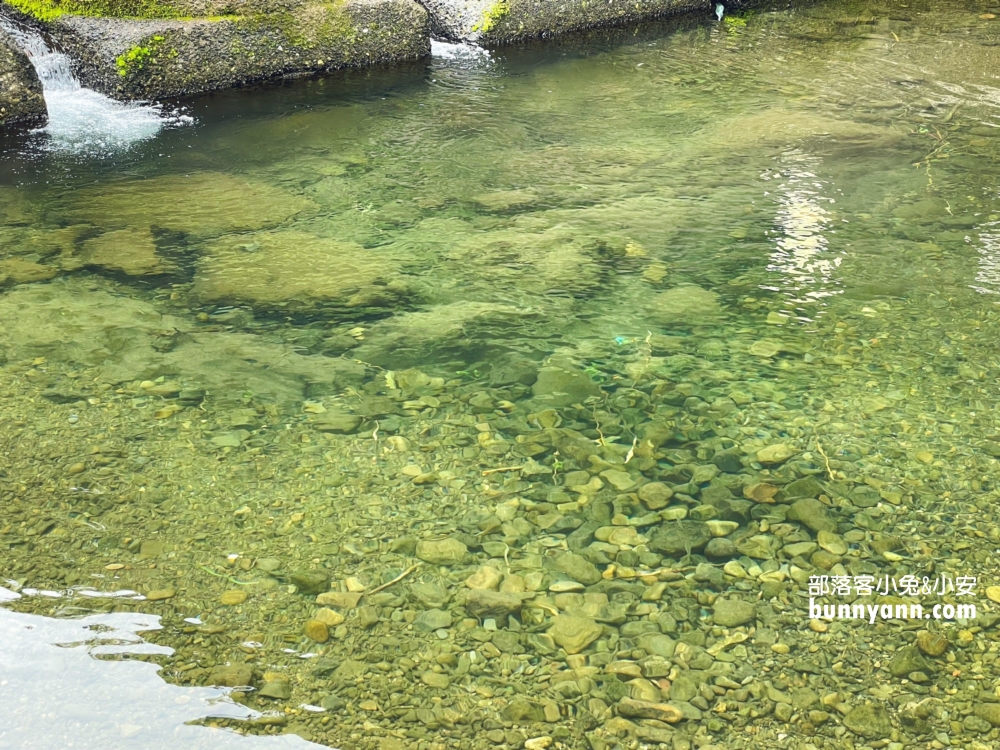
x=134 y=50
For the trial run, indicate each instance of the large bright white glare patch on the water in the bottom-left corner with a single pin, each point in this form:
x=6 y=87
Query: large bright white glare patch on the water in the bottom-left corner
x=56 y=694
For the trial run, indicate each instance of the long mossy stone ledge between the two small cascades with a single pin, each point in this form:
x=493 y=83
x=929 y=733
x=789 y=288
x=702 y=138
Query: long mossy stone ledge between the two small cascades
x=145 y=49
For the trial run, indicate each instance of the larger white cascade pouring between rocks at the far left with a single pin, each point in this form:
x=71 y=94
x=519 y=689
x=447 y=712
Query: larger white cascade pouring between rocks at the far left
x=80 y=119
